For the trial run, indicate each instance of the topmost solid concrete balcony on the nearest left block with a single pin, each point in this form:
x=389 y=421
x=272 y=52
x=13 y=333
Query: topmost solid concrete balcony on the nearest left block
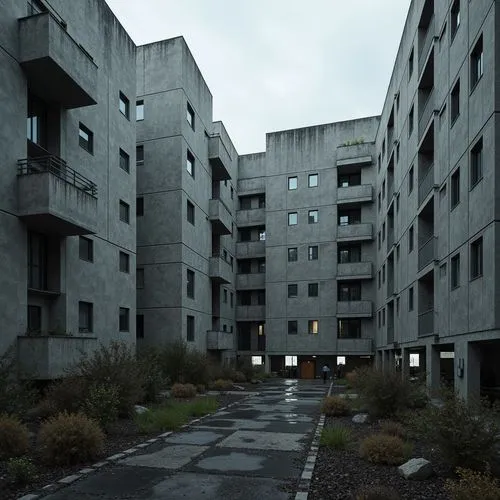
x=58 y=68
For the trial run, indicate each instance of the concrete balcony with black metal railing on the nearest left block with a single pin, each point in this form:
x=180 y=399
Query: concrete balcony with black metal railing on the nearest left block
x=53 y=198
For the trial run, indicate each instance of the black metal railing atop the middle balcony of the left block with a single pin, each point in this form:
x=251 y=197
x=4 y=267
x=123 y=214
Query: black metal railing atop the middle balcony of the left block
x=58 y=167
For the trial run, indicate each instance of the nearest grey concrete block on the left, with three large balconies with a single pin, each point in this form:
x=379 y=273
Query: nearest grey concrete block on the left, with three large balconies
x=67 y=189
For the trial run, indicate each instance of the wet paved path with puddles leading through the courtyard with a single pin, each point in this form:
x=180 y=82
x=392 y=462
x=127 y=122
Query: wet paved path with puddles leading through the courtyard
x=253 y=450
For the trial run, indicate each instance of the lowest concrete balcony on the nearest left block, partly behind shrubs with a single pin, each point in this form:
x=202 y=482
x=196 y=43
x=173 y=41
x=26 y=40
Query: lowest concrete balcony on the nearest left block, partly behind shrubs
x=50 y=357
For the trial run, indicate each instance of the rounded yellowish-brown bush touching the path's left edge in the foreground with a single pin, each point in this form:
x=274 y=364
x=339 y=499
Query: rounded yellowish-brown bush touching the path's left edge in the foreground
x=70 y=438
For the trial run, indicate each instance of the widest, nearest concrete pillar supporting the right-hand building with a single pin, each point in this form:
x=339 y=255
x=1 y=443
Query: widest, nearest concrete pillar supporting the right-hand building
x=467 y=366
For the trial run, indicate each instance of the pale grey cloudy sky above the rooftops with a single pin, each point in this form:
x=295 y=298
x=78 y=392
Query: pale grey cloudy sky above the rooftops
x=279 y=64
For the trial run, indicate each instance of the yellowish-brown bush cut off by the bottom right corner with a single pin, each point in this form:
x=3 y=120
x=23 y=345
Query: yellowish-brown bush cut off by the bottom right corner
x=472 y=484
